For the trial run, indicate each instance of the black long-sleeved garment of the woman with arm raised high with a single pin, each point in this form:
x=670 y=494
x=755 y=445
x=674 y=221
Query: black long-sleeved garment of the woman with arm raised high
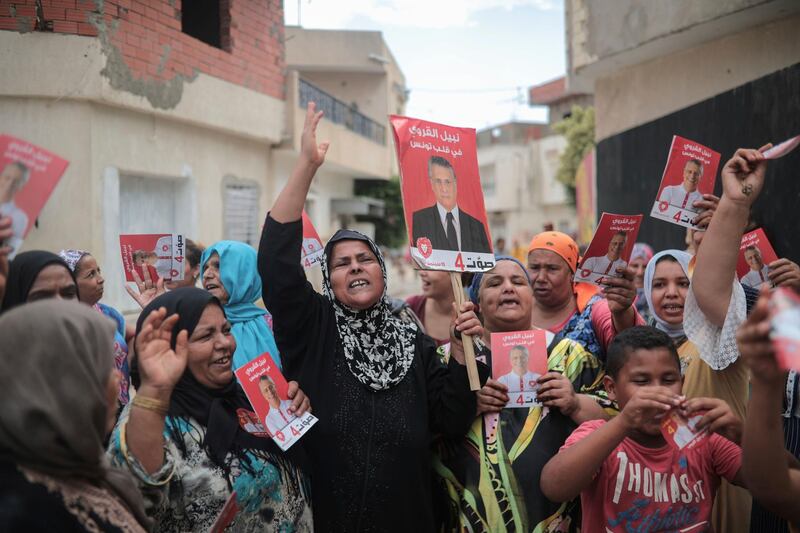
x=371 y=464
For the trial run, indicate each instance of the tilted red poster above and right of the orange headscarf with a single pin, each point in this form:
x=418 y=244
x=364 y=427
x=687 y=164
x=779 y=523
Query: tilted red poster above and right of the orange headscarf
x=610 y=249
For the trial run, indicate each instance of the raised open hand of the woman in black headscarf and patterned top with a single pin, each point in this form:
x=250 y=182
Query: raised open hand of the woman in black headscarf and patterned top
x=159 y=364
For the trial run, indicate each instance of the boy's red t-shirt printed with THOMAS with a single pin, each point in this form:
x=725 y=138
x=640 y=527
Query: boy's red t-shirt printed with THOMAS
x=655 y=489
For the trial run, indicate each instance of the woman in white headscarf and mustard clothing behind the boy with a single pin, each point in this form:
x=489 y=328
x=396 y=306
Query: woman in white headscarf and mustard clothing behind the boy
x=666 y=281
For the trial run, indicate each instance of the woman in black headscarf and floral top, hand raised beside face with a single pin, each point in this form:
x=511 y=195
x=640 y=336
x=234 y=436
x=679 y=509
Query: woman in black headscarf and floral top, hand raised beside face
x=181 y=438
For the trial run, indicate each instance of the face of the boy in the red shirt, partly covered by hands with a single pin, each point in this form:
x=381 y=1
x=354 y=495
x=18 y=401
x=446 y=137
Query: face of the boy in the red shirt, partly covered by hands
x=646 y=368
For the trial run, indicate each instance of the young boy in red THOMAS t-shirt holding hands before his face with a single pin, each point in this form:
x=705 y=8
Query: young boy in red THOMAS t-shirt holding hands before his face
x=629 y=477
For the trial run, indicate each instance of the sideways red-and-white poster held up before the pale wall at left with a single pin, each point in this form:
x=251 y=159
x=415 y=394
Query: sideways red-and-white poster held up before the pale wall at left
x=162 y=253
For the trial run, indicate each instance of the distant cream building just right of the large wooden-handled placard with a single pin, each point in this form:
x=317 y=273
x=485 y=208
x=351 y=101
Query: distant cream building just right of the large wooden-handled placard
x=518 y=163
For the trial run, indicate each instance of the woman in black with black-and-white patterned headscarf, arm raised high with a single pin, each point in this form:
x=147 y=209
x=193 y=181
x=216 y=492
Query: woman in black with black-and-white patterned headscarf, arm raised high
x=379 y=387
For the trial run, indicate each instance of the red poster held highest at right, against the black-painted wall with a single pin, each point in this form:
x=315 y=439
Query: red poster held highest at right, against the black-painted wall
x=690 y=173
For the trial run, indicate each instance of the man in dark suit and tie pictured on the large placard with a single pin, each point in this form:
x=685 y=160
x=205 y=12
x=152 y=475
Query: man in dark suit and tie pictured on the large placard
x=446 y=225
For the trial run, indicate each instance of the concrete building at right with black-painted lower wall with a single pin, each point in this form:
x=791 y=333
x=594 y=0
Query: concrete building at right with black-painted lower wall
x=724 y=74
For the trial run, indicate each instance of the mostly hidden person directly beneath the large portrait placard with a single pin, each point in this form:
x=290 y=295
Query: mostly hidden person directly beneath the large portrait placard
x=434 y=307
